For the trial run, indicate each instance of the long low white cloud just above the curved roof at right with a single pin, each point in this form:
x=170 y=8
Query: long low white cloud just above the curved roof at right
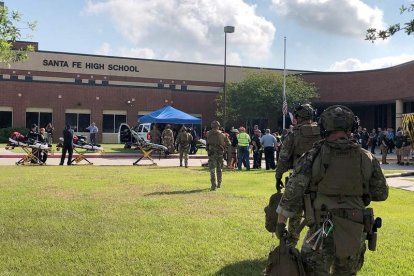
x=353 y=64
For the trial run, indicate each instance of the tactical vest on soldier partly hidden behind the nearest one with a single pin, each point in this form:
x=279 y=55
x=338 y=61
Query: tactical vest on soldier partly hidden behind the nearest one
x=304 y=138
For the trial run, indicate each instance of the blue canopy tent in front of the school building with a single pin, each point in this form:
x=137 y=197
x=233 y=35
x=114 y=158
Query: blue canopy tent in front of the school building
x=169 y=115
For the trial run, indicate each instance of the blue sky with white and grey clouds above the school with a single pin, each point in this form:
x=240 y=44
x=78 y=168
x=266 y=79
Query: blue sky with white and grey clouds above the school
x=321 y=35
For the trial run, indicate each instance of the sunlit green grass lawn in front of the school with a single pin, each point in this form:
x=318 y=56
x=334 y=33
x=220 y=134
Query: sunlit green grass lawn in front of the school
x=158 y=221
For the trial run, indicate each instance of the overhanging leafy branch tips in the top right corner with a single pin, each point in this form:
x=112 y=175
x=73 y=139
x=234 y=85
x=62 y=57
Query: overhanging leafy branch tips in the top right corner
x=373 y=34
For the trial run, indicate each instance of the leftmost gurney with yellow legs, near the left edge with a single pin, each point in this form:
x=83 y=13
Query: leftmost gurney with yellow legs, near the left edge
x=33 y=149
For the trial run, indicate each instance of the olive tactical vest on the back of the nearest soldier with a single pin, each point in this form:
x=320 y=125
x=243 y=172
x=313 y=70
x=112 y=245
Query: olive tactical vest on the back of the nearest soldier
x=341 y=172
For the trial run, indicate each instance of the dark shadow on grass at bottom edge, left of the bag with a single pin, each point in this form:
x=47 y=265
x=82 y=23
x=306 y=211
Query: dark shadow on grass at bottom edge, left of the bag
x=247 y=267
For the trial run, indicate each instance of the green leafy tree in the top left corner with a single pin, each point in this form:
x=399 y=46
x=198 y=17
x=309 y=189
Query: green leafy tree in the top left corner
x=10 y=32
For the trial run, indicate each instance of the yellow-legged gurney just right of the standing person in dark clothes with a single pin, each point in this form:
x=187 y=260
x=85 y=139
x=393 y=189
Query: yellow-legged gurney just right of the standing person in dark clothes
x=80 y=147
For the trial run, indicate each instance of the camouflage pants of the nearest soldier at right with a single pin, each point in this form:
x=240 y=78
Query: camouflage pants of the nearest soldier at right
x=324 y=262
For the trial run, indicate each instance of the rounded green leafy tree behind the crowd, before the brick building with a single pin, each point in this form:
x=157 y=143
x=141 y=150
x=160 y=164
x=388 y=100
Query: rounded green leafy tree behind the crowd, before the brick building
x=260 y=96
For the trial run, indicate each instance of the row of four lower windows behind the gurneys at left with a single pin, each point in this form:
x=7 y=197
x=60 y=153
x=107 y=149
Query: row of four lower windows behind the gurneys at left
x=78 y=121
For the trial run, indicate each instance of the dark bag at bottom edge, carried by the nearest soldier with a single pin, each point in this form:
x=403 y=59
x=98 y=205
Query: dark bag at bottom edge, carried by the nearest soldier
x=284 y=260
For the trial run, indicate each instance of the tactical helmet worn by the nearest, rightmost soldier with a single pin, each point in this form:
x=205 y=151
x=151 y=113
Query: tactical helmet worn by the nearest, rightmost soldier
x=338 y=117
